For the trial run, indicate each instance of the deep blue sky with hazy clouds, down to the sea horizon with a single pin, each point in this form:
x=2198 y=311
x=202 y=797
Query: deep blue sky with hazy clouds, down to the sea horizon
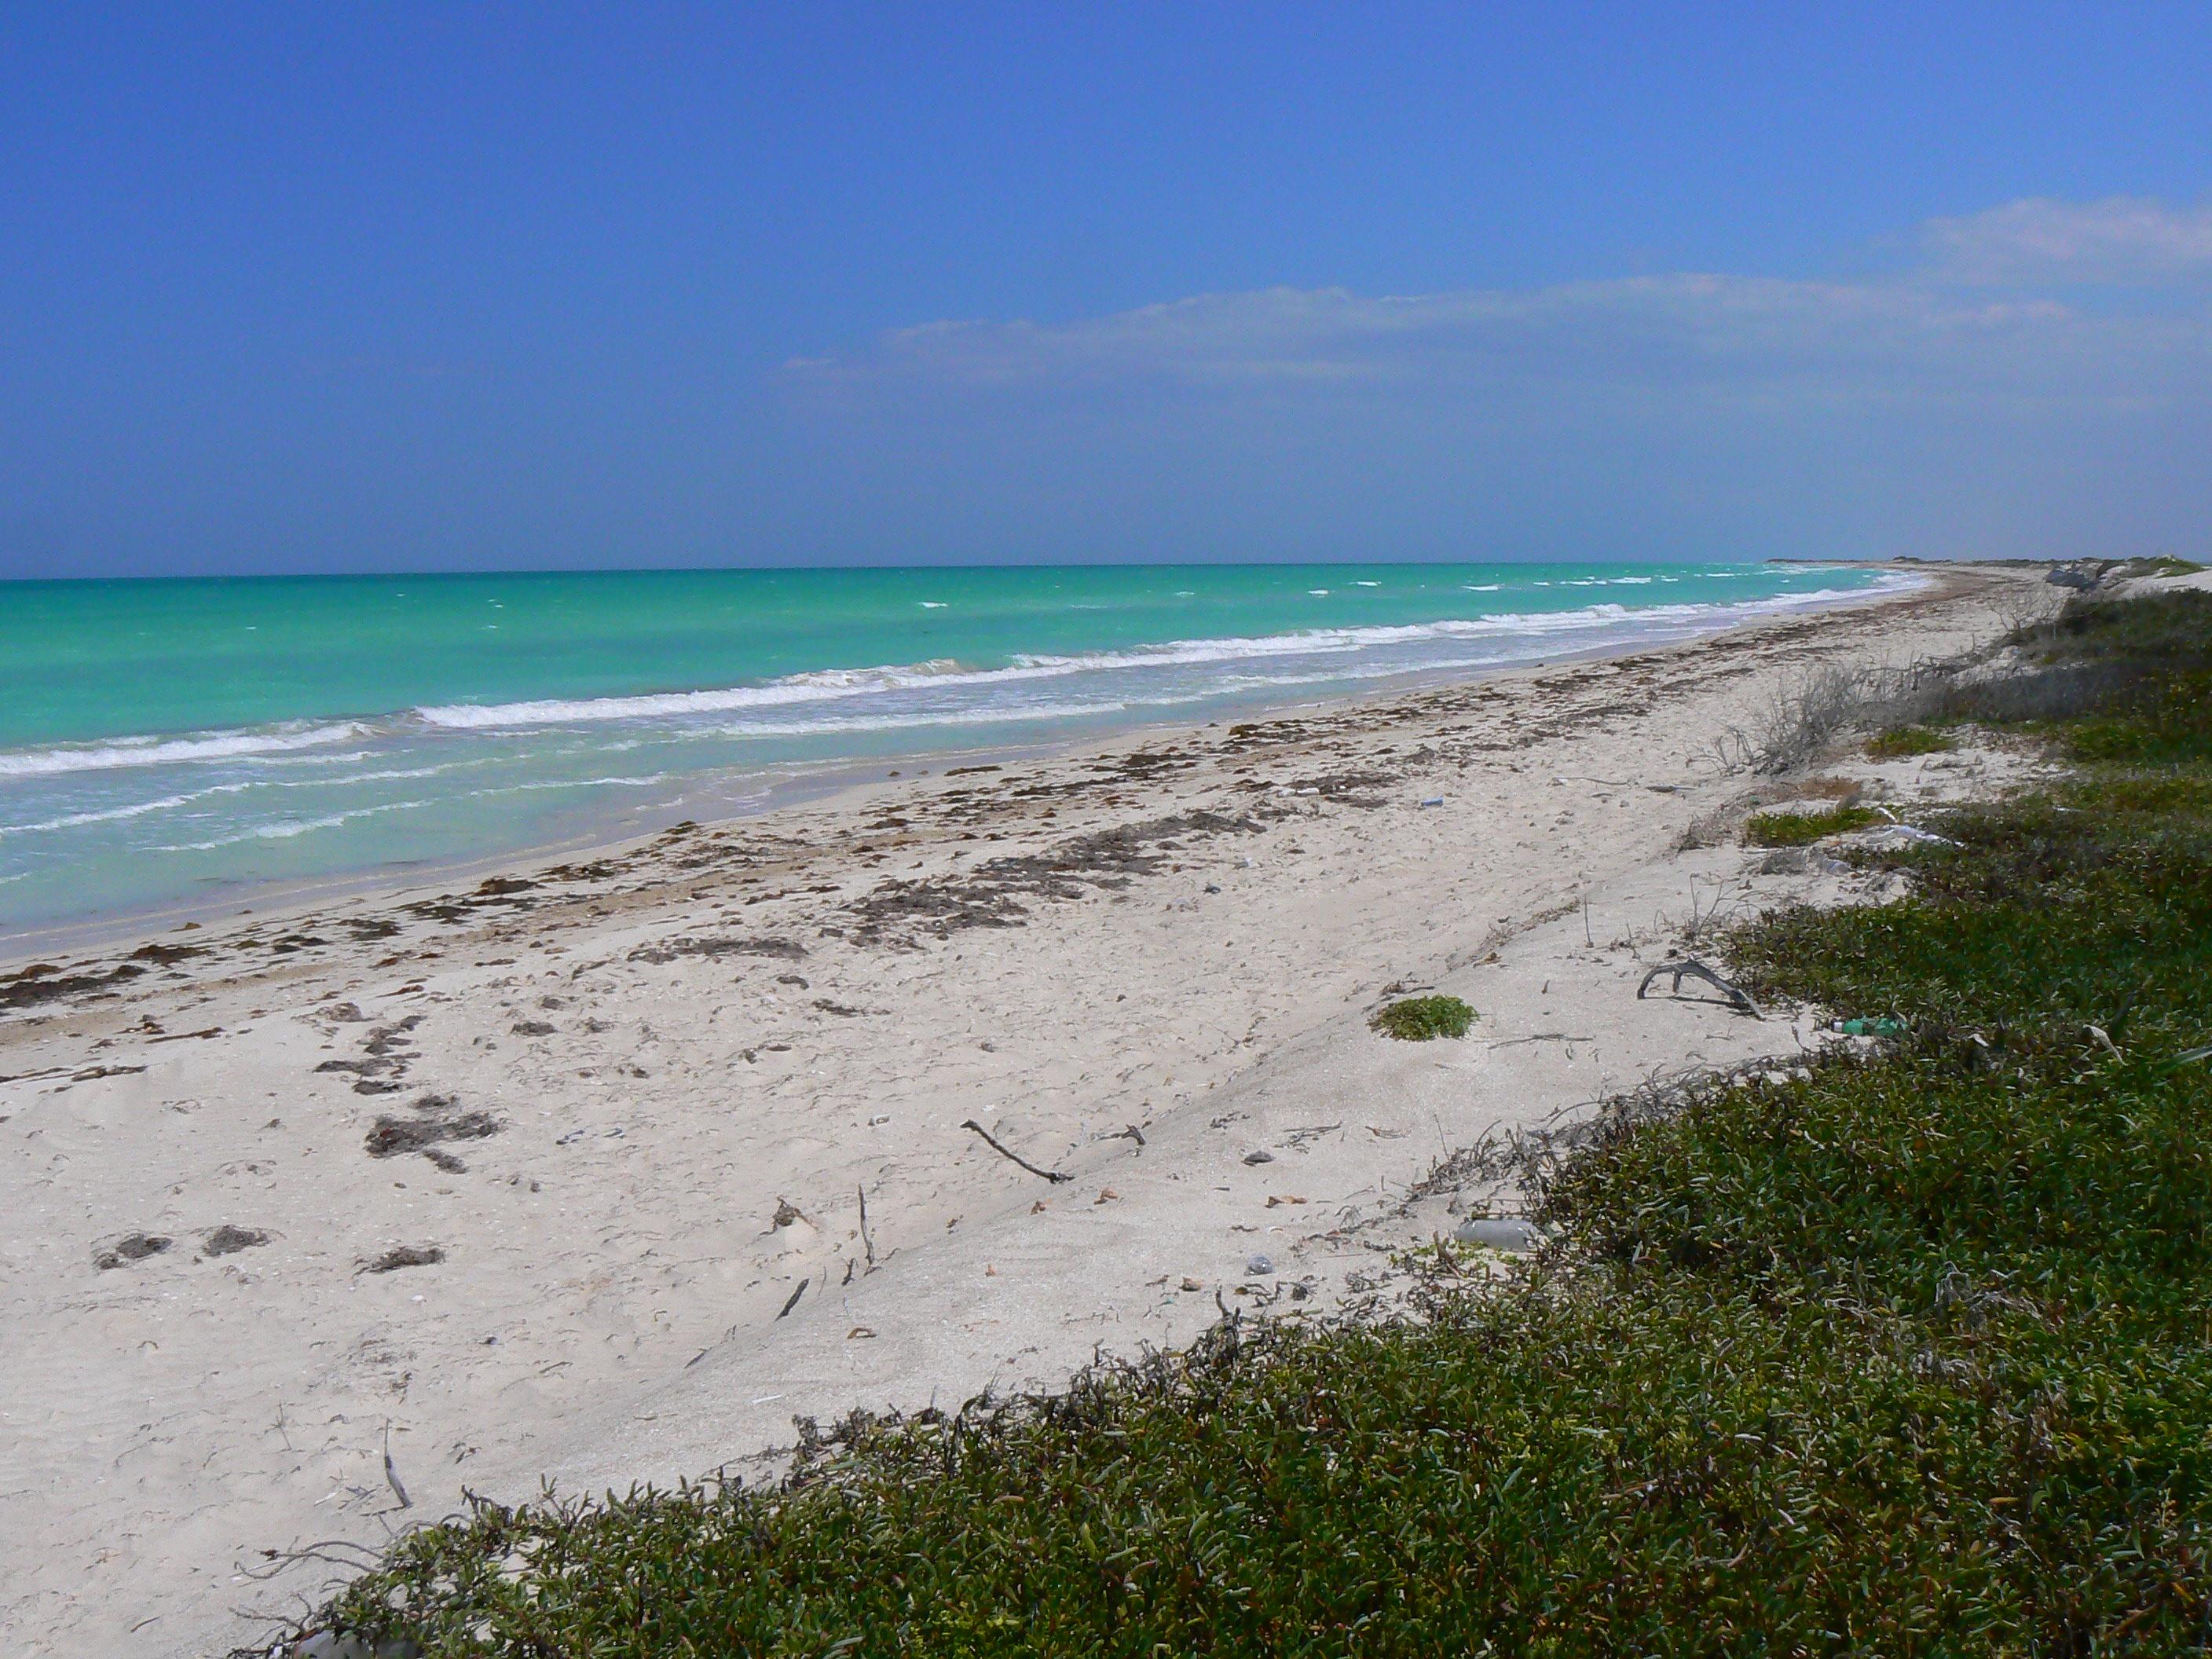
x=461 y=286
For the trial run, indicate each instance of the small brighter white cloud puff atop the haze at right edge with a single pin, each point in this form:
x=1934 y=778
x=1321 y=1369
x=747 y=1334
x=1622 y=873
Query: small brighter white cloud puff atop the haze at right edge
x=2116 y=242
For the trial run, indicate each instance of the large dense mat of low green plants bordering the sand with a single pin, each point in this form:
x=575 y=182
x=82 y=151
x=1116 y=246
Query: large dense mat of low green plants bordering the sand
x=1910 y=1355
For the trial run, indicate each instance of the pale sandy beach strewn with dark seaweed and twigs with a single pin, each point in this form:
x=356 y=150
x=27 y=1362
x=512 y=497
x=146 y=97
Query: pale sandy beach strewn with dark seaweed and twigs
x=563 y=1176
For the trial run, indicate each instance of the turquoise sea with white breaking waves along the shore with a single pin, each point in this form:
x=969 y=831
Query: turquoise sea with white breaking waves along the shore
x=176 y=747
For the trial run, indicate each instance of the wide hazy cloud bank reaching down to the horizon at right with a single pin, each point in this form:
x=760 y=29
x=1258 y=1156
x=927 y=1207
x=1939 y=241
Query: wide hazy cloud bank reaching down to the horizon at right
x=2041 y=379
